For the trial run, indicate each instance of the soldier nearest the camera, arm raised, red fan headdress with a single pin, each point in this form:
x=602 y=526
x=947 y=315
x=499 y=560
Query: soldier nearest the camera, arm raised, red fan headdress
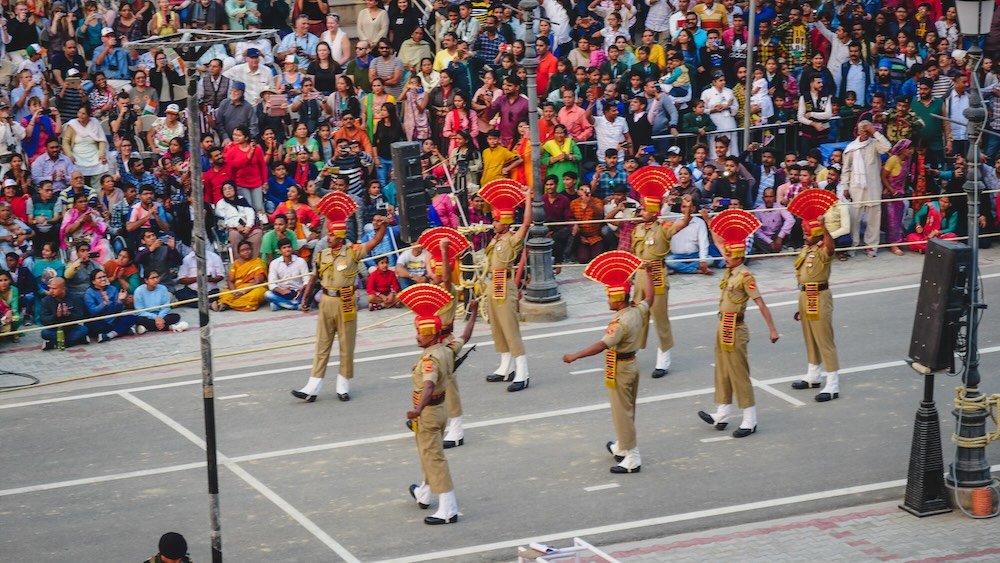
x=431 y=377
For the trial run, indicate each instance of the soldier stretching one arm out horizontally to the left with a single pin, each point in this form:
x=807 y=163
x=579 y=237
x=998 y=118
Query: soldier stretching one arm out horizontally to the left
x=619 y=344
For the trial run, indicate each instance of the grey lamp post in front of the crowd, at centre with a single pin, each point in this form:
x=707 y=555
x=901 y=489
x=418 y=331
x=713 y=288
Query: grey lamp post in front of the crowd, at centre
x=542 y=294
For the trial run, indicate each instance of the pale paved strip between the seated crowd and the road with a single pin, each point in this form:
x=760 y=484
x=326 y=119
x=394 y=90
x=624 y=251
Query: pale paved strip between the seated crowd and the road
x=286 y=335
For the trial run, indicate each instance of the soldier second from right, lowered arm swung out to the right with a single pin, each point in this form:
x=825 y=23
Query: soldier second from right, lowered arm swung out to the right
x=730 y=230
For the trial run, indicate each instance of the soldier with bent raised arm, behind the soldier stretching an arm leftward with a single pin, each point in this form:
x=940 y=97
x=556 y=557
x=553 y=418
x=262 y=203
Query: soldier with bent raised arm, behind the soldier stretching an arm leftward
x=651 y=244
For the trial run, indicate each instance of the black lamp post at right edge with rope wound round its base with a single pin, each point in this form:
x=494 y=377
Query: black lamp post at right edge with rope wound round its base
x=970 y=469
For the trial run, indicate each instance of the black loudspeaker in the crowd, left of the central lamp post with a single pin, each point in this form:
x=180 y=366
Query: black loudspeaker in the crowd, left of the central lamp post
x=411 y=193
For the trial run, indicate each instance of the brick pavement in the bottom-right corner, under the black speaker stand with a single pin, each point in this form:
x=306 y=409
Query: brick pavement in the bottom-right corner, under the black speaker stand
x=874 y=532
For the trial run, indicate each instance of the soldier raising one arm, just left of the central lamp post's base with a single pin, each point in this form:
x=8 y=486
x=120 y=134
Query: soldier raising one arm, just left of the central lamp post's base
x=503 y=254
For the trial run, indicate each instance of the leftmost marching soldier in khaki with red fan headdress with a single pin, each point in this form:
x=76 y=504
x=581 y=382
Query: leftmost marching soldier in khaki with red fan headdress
x=337 y=269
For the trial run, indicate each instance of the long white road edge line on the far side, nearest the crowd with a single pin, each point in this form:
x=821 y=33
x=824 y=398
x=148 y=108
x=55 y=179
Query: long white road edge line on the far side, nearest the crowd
x=484 y=343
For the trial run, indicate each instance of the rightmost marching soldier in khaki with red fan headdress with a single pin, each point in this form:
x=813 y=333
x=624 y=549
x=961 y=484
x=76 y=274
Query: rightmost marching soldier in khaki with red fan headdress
x=812 y=271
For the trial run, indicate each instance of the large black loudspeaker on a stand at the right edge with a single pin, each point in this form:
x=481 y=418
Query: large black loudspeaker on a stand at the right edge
x=940 y=304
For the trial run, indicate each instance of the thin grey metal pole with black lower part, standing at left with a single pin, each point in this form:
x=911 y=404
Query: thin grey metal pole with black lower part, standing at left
x=204 y=321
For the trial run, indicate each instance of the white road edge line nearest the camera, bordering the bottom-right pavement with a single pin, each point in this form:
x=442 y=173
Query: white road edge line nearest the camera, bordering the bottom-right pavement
x=464 y=552
